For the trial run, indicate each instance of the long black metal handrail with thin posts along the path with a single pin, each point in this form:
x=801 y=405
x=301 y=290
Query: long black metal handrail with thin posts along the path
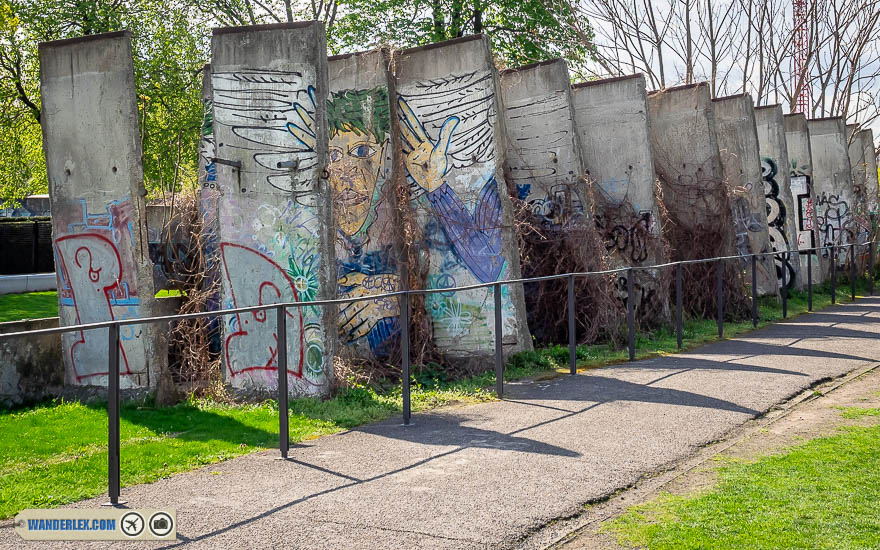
x=113 y=397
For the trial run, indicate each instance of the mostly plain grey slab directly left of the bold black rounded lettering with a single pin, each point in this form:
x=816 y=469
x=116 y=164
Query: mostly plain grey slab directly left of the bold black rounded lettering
x=737 y=137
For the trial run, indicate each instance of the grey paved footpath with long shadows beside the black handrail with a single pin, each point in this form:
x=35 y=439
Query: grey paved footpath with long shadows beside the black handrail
x=486 y=476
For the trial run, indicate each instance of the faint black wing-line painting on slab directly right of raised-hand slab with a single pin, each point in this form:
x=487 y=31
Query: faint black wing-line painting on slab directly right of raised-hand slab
x=540 y=158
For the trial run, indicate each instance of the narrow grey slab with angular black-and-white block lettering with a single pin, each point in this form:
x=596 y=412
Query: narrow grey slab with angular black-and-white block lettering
x=800 y=160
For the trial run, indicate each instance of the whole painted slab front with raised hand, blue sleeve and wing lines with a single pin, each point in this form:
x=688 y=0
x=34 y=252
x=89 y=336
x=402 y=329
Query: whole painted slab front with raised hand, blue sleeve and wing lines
x=447 y=130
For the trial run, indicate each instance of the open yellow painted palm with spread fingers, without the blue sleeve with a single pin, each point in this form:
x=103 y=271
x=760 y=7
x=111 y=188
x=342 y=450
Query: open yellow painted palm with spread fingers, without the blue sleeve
x=426 y=161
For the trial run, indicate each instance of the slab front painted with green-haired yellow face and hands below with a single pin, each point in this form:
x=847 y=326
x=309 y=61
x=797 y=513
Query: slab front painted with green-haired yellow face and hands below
x=360 y=161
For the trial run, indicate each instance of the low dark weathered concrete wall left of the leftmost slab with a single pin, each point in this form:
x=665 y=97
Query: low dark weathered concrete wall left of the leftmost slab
x=30 y=366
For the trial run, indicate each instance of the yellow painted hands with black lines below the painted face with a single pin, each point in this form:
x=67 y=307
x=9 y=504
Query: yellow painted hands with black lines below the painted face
x=358 y=318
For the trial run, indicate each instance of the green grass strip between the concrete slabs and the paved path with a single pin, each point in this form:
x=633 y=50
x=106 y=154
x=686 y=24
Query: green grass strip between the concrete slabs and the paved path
x=56 y=453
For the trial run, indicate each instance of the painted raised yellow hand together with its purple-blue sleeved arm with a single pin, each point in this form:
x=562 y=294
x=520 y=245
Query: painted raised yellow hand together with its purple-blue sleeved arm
x=476 y=238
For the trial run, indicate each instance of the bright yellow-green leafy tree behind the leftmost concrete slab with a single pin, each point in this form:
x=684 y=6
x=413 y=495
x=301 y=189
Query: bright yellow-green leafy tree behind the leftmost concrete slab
x=170 y=47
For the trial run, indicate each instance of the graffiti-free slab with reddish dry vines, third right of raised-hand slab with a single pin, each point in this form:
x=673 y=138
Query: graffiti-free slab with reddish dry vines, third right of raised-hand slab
x=686 y=159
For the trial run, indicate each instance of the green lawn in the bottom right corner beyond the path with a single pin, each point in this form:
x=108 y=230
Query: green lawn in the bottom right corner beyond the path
x=822 y=494
